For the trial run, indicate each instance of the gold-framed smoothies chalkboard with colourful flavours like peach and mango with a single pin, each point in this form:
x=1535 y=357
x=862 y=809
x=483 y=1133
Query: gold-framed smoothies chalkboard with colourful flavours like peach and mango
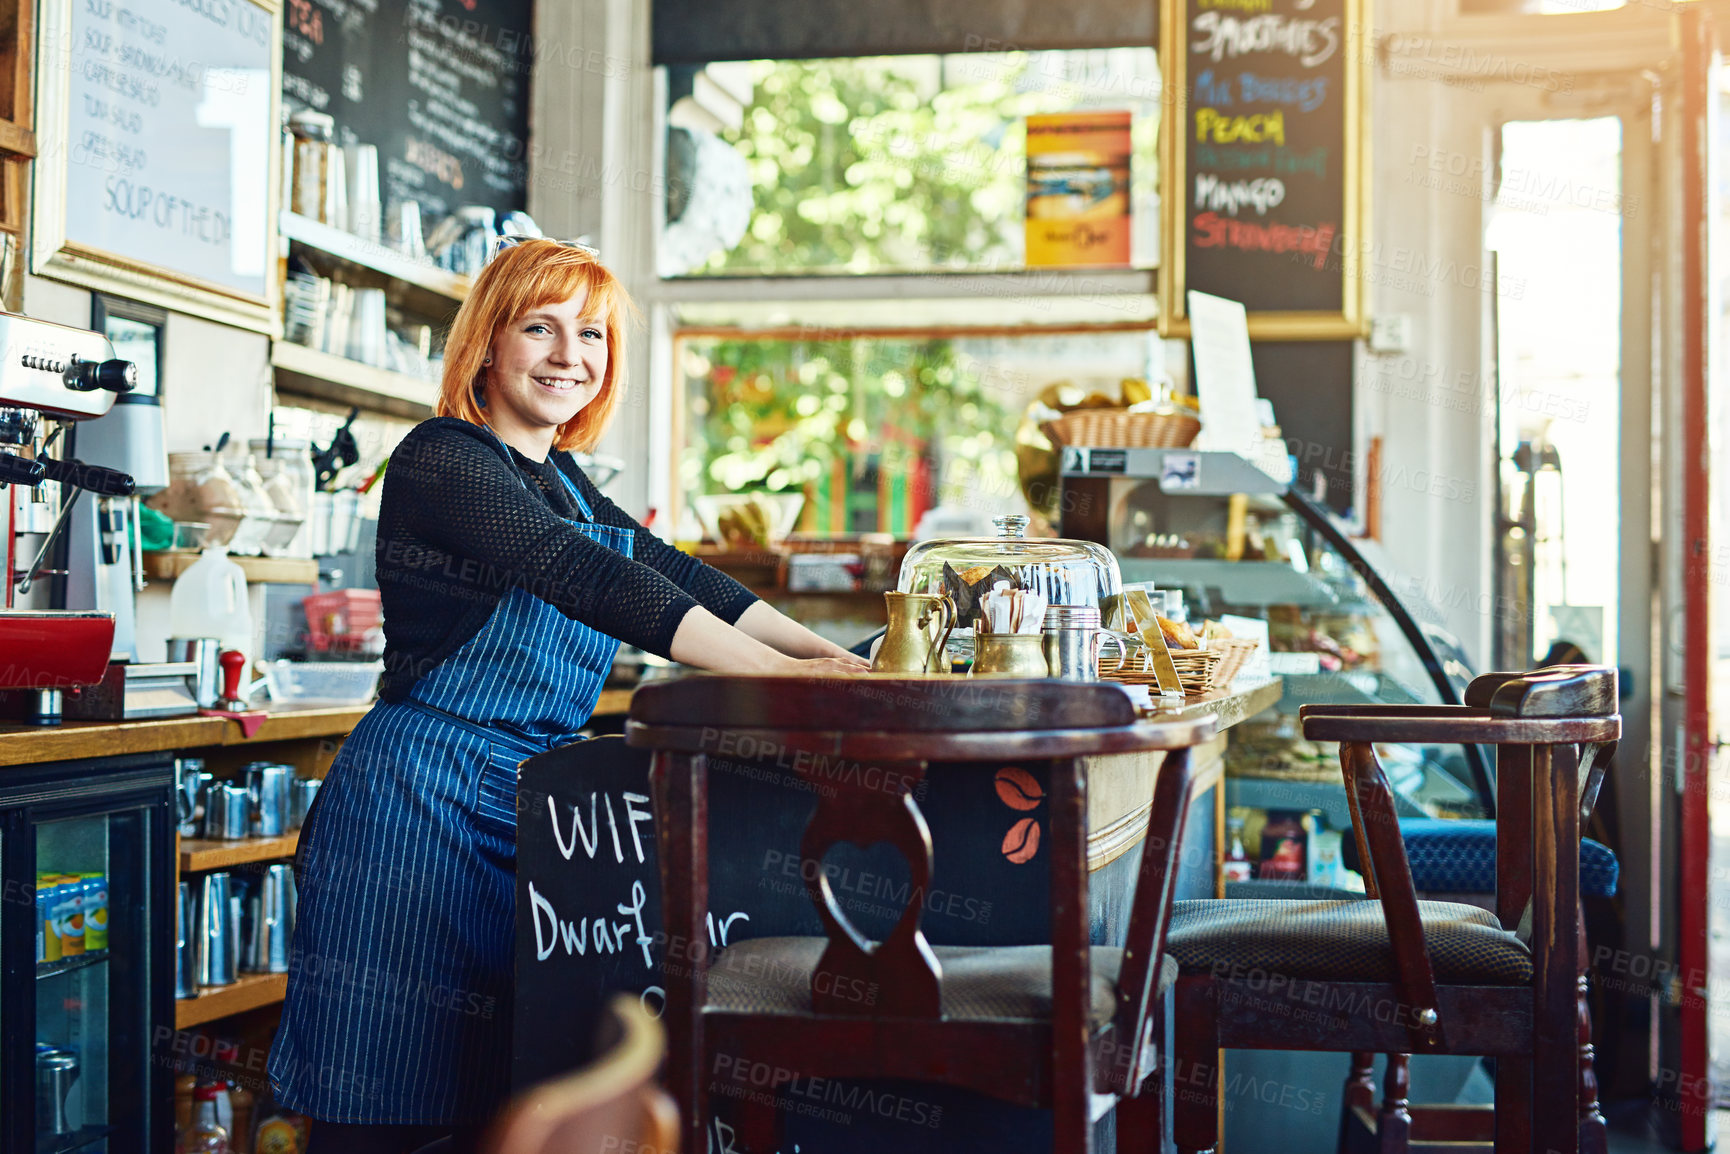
x=1265 y=170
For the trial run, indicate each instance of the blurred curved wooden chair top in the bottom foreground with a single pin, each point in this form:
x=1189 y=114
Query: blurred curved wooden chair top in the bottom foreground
x=608 y=1108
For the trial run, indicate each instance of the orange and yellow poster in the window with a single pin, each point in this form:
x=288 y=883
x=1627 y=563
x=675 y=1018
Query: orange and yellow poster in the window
x=1079 y=189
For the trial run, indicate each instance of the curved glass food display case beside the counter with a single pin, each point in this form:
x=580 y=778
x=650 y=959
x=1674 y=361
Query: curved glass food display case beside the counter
x=1238 y=542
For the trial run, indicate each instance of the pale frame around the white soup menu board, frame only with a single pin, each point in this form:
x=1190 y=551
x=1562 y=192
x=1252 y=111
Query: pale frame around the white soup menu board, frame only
x=58 y=257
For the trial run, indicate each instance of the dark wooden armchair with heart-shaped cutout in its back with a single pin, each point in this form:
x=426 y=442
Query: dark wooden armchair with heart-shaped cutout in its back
x=1041 y=1027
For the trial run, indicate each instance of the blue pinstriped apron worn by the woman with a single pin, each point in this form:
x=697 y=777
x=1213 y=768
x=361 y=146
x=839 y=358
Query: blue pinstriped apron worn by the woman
x=400 y=973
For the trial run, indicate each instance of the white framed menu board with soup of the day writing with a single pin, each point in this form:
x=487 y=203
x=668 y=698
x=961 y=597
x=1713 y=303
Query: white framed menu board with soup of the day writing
x=158 y=174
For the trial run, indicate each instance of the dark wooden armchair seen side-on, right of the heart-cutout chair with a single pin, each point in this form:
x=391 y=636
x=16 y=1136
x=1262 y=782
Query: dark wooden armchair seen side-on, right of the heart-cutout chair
x=1404 y=977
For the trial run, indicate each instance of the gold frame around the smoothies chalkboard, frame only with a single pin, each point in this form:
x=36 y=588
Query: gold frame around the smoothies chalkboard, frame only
x=1350 y=321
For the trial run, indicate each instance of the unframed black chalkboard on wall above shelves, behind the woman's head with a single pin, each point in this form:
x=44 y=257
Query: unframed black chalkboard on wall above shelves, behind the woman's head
x=442 y=89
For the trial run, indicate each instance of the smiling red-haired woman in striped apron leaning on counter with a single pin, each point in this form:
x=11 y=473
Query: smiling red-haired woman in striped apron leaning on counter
x=508 y=584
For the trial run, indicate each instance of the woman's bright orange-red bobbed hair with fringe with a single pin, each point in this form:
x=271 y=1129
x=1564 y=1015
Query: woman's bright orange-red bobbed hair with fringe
x=518 y=281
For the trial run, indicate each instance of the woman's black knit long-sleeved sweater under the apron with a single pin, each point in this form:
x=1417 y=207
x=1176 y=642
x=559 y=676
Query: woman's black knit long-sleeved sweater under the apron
x=465 y=520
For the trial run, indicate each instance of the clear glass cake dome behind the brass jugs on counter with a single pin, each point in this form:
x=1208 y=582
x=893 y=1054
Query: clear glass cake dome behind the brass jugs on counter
x=1063 y=572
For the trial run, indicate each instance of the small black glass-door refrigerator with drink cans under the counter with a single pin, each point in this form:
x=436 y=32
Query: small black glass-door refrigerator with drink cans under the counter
x=87 y=958
